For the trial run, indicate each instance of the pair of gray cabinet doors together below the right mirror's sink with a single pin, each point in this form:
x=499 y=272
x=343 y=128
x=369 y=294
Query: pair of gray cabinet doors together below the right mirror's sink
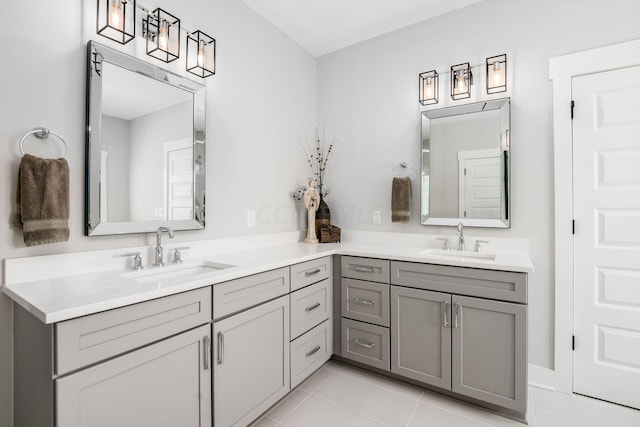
x=475 y=347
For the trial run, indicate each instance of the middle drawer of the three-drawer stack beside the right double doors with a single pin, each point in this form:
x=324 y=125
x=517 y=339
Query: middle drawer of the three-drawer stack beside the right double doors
x=365 y=301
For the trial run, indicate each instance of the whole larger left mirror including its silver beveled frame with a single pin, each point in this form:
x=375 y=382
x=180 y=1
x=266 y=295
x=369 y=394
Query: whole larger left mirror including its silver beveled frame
x=145 y=146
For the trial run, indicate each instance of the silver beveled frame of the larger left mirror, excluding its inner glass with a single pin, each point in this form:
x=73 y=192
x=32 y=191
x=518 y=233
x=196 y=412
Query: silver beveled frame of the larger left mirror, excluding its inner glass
x=96 y=53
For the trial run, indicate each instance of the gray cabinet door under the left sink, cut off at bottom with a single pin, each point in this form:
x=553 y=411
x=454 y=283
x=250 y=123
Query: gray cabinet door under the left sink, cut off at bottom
x=164 y=384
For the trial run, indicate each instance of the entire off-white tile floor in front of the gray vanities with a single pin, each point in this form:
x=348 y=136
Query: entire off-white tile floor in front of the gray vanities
x=339 y=395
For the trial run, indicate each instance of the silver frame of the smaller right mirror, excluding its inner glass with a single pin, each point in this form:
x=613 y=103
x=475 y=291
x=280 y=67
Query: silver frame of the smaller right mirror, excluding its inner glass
x=494 y=104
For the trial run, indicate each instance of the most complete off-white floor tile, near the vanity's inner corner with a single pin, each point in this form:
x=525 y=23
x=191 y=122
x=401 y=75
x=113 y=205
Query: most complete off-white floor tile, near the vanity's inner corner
x=375 y=402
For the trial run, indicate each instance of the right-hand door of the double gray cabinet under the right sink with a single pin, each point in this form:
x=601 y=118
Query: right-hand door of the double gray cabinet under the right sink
x=490 y=351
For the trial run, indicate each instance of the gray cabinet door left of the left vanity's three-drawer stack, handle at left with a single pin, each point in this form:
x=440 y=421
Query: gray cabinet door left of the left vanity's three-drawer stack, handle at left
x=251 y=362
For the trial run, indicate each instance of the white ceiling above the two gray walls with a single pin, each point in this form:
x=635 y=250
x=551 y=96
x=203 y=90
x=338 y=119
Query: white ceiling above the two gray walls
x=324 y=26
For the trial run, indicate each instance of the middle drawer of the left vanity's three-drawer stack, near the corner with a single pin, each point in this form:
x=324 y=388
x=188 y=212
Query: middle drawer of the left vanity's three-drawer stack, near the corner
x=310 y=306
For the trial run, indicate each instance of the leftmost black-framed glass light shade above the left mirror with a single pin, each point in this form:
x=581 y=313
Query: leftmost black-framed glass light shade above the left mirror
x=116 y=20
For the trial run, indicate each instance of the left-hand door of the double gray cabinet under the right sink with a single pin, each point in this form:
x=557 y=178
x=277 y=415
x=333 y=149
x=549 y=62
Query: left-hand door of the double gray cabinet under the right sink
x=421 y=335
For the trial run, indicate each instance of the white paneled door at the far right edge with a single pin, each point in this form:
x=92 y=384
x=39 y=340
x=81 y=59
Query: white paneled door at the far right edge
x=606 y=190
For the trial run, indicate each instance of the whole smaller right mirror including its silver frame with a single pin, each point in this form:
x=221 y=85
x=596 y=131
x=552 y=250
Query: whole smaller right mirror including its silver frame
x=466 y=165
